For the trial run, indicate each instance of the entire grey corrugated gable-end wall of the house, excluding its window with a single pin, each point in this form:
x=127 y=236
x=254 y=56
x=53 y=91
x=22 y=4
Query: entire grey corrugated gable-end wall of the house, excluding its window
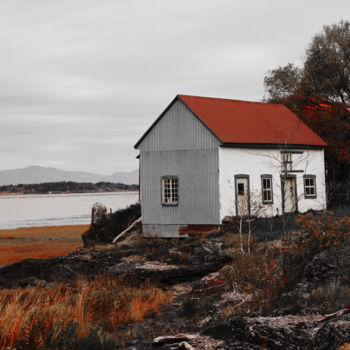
x=180 y=145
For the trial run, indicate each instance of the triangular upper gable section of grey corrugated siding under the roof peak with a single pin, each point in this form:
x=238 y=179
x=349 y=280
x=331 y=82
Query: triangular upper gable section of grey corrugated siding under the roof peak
x=178 y=129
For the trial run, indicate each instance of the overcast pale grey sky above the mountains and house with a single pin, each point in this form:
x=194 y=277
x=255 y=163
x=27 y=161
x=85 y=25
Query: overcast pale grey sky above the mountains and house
x=82 y=80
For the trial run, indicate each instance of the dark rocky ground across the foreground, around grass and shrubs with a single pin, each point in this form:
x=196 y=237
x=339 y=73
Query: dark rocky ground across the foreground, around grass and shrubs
x=199 y=315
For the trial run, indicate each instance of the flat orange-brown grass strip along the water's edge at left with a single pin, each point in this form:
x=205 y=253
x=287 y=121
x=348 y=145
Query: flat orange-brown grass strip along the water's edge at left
x=38 y=242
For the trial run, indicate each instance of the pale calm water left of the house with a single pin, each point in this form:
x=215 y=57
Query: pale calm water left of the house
x=57 y=209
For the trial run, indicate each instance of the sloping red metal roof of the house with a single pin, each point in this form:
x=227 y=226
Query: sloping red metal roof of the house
x=234 y=121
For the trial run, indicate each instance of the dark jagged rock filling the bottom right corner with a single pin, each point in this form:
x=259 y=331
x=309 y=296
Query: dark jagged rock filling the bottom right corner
x=309 y=332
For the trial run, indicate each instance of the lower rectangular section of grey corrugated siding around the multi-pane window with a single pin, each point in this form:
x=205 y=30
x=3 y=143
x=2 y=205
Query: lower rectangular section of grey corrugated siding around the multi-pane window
x=197 y=171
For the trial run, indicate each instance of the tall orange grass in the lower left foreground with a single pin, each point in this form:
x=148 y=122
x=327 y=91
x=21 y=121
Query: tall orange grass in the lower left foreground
x=42 y=317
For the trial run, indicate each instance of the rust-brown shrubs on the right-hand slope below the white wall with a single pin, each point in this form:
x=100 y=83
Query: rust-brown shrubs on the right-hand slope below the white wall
x=272 y=269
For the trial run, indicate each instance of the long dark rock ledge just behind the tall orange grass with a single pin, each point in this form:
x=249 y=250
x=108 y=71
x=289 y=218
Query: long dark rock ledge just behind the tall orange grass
x=117 y=263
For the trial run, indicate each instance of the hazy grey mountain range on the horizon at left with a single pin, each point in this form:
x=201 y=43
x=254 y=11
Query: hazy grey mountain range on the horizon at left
x=38 y=174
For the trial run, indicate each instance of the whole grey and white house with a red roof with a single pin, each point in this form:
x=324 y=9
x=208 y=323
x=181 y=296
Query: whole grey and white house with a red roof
x=204 y=159
